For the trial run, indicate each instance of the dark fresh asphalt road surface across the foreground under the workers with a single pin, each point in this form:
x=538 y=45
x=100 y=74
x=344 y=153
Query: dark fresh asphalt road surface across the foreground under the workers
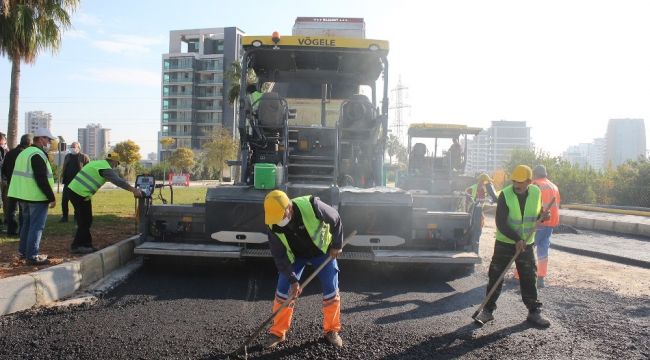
x=189 y=312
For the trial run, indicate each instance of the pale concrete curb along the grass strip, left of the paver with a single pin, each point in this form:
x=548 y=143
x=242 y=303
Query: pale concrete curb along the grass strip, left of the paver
x=54 y=283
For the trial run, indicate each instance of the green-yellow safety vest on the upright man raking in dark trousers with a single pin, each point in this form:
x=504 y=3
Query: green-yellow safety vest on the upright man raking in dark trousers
x=524 y=226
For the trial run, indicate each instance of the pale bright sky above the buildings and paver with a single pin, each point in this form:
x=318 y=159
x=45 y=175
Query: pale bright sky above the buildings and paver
x=565 y=67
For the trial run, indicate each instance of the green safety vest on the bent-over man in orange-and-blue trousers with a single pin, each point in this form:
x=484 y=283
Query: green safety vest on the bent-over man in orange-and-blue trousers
x=318 y=230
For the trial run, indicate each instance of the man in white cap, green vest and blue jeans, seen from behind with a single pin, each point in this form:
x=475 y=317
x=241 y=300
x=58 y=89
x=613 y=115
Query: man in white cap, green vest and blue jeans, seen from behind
x=31 y=185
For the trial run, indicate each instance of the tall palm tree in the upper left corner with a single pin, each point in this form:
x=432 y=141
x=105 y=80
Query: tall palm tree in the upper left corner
x=26 y=29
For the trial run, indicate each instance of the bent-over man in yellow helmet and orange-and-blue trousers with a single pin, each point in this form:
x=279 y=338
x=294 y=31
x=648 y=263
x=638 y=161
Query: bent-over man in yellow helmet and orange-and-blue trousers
x=303 y=231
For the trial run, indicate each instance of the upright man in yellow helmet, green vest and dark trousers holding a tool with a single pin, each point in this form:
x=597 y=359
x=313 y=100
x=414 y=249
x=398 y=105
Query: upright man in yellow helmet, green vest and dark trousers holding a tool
x=519 y=207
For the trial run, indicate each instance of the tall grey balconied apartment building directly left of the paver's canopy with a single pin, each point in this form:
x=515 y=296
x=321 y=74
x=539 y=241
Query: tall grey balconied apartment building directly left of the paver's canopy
x=194 y=89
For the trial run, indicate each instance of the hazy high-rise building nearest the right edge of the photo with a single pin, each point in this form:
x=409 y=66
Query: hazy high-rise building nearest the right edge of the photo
x=625 y=140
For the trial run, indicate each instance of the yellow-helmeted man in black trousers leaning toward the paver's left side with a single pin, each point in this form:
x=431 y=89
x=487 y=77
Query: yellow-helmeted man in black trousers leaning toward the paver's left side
x=82 y=187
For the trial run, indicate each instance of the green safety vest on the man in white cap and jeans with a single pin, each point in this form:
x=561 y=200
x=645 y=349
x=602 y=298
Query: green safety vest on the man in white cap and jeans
x=23 y=186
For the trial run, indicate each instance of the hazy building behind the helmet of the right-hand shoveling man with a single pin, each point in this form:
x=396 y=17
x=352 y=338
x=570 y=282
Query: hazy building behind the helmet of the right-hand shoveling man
x=491 y=149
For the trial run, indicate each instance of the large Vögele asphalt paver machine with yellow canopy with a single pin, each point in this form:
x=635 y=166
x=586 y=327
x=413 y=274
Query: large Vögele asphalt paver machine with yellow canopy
x=316 y=129
